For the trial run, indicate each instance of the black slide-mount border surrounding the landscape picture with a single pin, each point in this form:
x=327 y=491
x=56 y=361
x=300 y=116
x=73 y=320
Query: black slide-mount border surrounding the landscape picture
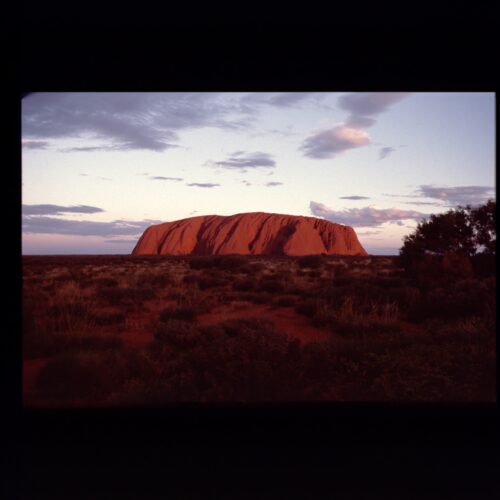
x=350 y=443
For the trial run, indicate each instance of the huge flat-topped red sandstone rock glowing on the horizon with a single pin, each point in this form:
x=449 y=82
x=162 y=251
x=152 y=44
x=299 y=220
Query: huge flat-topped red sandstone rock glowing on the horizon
x=255 y=233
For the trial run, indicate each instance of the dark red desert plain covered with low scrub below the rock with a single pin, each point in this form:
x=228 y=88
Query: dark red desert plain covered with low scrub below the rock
x=126 y=331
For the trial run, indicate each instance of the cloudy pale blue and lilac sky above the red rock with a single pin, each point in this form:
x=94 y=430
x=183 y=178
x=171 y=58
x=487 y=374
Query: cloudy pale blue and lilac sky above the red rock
x=99 y=168
